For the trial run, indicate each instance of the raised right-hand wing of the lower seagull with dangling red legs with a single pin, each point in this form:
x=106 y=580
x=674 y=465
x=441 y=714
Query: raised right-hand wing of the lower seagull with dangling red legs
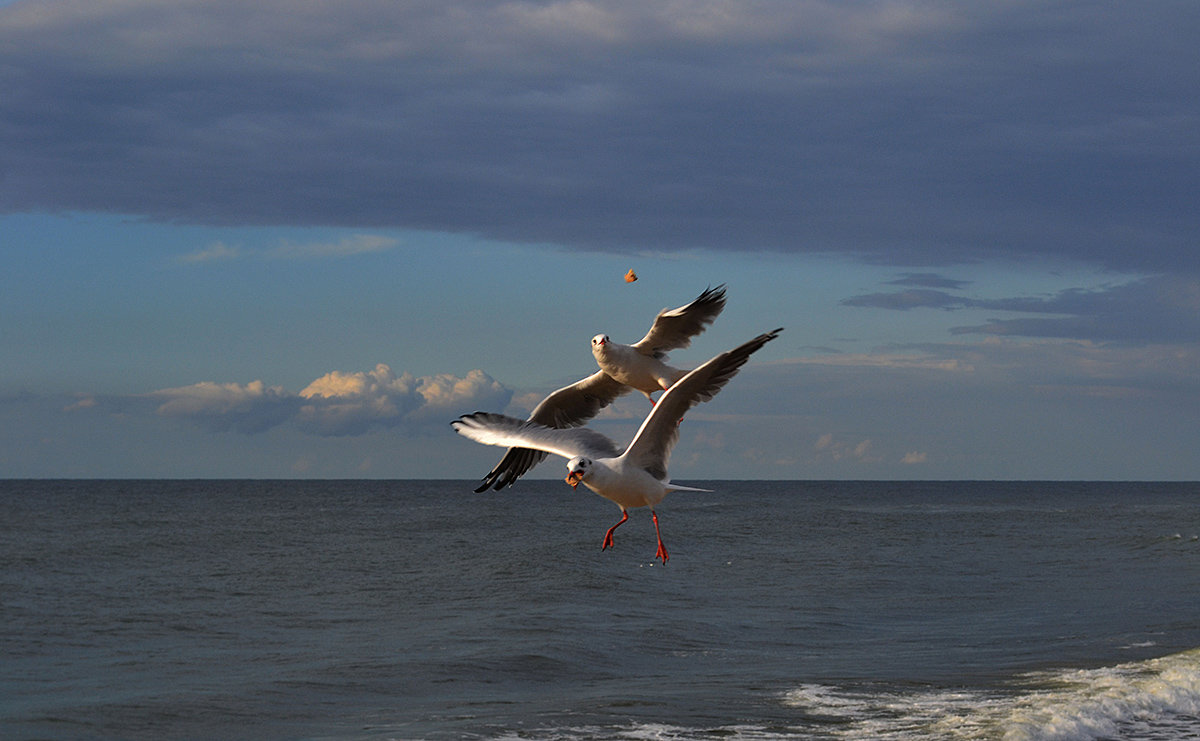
x=652 y=447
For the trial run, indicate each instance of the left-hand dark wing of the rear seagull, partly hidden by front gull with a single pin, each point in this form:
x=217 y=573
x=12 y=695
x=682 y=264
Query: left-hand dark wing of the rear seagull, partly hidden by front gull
x=568 y=407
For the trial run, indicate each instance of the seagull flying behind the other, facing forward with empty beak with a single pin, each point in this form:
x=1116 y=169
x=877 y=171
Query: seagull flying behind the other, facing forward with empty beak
x=622 y=368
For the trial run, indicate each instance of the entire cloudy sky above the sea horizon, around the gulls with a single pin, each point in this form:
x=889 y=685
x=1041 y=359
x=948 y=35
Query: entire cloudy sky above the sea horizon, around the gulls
x=290 y=239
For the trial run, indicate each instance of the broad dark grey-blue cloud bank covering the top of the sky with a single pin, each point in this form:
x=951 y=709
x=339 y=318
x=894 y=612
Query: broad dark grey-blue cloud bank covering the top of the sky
x=914 y=134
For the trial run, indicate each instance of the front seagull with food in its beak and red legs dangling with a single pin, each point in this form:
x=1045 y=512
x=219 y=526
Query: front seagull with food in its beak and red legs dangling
x=637 y=478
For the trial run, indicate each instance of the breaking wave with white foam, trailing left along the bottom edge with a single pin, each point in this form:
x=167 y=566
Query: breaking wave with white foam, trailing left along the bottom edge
x=1149 y=701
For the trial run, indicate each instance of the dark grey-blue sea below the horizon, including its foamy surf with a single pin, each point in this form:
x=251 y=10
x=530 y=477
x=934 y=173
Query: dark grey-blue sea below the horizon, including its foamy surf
x=413 y=610
